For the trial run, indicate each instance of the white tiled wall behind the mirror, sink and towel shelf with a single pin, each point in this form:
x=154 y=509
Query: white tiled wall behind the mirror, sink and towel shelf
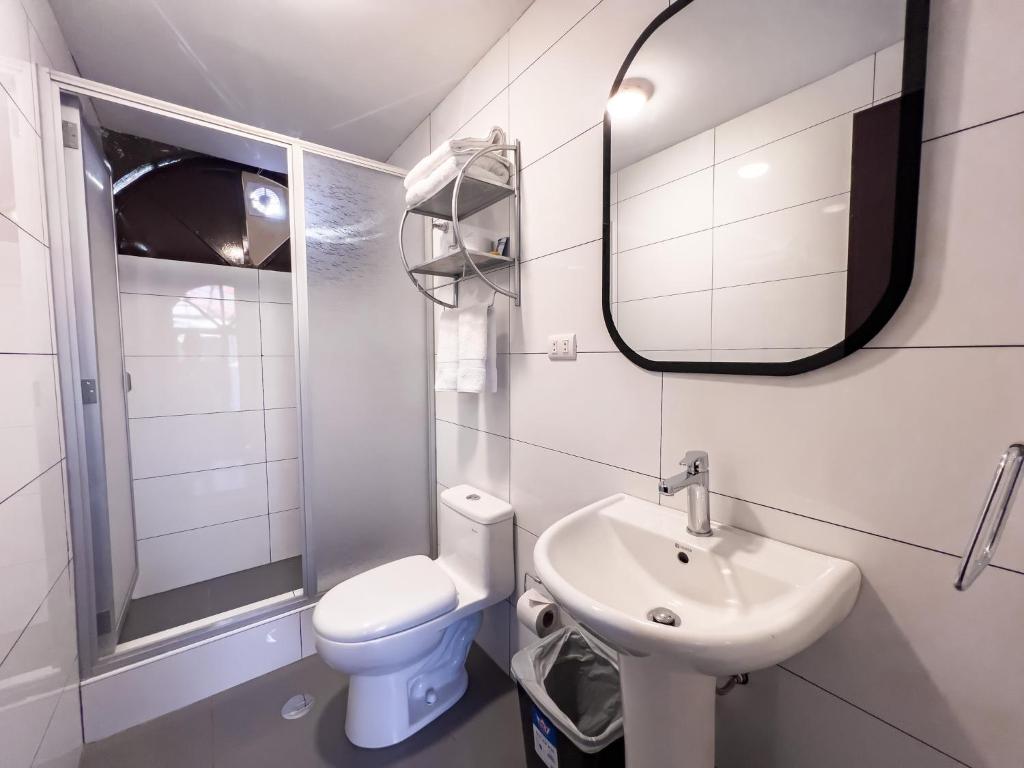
x=882 y=458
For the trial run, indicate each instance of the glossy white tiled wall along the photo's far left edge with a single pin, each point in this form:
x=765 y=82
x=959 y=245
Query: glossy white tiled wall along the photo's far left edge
x=39 y=701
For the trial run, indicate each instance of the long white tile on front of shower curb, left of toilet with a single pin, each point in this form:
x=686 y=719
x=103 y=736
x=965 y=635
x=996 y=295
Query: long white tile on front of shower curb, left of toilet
x=136 y=695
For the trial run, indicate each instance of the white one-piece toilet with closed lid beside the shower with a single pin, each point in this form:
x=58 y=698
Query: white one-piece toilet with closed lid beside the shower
x=402 y=631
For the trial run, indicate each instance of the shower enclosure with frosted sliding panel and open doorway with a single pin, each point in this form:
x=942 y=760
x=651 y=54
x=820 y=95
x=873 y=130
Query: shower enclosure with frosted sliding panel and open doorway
x=243 y=373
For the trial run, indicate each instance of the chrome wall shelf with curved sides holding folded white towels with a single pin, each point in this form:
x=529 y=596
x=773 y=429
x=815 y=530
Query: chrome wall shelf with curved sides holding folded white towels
x=461 y=198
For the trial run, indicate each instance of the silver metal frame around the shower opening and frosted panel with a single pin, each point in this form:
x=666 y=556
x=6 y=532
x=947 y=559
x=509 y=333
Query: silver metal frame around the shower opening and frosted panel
x=53 y=84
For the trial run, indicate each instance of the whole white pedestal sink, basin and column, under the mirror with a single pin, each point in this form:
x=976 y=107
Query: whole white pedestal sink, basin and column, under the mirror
x=740 y=603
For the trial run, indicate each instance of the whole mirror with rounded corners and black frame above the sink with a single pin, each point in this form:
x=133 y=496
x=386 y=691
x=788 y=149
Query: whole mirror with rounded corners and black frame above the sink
x=761 y=175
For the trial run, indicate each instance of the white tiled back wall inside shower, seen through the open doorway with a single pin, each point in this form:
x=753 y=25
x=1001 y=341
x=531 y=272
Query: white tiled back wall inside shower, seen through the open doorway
x=212 y=415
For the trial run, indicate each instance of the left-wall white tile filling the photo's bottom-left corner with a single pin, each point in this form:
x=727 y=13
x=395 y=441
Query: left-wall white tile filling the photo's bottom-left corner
x=35 y=673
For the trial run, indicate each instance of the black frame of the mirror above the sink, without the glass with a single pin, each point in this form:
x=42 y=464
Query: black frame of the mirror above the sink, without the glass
x=905 y=222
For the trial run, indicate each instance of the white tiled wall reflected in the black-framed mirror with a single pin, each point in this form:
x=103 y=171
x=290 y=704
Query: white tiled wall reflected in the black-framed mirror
x=732 y=245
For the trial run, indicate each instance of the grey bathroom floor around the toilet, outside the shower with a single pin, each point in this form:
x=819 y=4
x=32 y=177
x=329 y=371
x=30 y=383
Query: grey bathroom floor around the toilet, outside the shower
x=243 y=729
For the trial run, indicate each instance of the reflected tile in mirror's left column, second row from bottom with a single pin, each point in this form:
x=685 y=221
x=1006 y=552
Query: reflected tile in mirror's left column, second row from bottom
x=677 y=266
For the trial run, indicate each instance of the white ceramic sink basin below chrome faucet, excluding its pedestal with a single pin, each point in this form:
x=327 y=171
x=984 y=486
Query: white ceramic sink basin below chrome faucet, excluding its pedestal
x=743 y=603
